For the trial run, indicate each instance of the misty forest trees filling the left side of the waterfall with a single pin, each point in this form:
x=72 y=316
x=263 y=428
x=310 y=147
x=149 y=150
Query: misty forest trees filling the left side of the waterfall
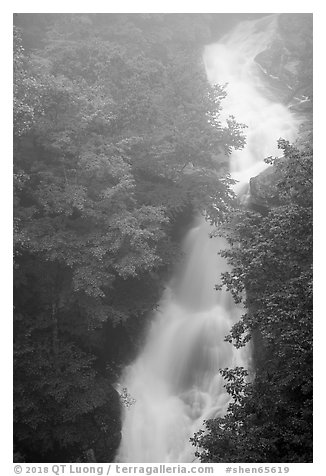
x=116 y=135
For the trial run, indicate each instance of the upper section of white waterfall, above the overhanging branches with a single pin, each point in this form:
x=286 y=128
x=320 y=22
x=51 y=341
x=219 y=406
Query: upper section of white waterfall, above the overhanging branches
x=232 y=61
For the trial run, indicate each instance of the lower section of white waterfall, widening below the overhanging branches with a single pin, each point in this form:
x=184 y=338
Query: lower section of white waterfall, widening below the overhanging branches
x=175 y=380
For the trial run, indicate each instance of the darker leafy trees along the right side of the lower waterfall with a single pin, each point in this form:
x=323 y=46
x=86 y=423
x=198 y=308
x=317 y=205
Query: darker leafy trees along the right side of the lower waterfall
x=269 y=418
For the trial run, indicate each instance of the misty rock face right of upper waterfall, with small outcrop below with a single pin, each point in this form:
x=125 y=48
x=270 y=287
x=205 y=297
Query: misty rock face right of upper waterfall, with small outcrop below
x=286 y=68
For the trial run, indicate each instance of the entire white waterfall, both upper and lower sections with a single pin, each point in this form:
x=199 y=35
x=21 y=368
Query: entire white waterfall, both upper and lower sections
x=175 y=380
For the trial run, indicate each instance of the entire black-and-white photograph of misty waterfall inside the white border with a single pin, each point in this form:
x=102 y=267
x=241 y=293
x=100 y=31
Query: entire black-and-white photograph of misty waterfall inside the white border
x=163 y=240
